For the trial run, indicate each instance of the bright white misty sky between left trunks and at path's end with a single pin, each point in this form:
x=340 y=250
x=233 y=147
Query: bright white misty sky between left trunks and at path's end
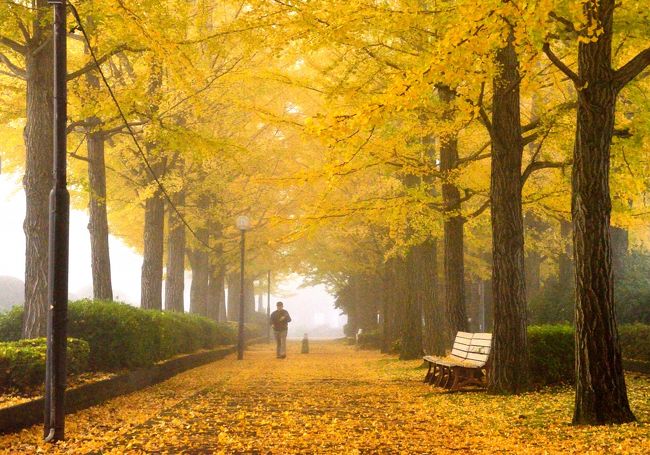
x=311 y=307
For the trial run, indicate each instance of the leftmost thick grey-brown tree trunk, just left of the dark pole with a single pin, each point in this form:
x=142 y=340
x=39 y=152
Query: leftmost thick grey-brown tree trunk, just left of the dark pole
x=37 y=181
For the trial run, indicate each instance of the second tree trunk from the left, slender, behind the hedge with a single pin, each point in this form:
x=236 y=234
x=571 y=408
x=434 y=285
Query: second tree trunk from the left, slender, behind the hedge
x=98 y=218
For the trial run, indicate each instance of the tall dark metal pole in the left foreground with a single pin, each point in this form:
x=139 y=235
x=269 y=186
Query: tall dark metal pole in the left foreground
x=55 y=376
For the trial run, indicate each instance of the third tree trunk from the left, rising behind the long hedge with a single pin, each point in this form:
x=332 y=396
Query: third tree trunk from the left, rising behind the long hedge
x=152 y=263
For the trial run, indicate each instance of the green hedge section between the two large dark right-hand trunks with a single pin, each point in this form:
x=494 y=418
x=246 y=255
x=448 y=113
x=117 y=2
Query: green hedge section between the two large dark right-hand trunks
x=551 y=354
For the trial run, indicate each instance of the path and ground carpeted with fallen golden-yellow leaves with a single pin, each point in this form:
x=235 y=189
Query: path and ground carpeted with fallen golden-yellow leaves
x=334 y=400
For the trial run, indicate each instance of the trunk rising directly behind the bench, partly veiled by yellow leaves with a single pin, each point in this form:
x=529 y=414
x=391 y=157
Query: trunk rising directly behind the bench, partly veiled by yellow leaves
x=454 y=265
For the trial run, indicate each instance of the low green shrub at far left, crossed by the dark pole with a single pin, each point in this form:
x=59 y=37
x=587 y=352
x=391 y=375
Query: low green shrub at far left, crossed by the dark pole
x=22 y=363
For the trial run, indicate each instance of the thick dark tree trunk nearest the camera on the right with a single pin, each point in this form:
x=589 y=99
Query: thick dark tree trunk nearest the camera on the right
x=601 y=394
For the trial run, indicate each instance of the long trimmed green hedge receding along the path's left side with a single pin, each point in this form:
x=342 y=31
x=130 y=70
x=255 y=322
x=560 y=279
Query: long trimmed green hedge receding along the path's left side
x=122 y=336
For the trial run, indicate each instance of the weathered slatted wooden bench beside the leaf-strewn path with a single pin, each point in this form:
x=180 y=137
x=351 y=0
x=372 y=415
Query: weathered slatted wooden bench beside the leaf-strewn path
x=466 y=365
